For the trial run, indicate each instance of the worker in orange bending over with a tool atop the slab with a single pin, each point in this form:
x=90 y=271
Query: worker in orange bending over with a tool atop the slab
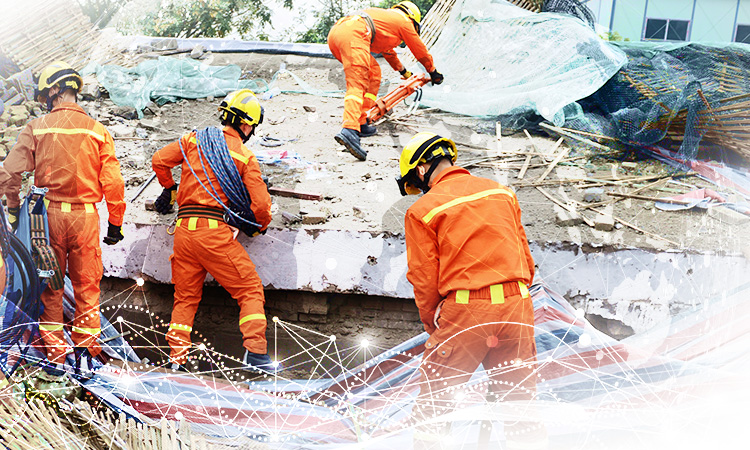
x=352 y=40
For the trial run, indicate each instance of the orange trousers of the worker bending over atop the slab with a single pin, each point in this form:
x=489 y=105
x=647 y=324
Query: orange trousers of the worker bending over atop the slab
x=349 y=41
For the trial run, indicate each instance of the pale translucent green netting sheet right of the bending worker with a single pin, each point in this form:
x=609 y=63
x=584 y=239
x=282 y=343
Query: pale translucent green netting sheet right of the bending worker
x=499 y=59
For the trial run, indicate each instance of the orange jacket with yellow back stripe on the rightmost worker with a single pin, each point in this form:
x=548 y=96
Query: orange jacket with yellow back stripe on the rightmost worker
x=475 y=225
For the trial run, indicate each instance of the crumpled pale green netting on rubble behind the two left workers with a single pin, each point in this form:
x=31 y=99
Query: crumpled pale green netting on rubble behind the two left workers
x=167 y=79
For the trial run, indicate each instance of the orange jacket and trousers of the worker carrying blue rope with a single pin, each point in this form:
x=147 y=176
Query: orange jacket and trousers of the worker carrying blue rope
x=206 y=245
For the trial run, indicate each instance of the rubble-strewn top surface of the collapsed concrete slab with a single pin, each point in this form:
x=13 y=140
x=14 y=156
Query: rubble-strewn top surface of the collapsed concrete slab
x=363 y=196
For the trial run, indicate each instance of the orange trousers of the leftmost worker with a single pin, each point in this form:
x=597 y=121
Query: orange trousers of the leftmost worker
x=74 y=237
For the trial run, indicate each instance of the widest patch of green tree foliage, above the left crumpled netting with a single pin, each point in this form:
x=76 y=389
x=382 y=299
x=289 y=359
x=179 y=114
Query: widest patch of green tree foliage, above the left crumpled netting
x=206 y=18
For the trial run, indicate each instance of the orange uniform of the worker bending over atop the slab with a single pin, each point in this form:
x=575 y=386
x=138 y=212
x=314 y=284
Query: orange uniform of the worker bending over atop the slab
x=351 y=42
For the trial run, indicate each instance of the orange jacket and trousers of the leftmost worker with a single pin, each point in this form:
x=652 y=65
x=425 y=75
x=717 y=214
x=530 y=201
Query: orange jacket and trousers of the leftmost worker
x=73 y=156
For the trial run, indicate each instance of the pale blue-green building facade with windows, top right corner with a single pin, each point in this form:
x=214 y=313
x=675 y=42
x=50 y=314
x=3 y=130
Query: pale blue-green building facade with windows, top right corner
x=675 y=20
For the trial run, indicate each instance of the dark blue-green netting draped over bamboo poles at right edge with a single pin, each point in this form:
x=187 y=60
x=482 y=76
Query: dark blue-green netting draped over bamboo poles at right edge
x=682 y=92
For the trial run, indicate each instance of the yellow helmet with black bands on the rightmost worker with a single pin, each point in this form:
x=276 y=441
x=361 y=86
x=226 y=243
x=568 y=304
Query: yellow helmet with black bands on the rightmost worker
x=422 y=148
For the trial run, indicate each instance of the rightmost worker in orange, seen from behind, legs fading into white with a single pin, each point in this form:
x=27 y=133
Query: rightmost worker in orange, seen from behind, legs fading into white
x=470 y=265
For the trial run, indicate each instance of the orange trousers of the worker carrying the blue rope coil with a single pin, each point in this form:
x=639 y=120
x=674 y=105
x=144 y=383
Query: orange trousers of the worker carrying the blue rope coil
x=213 y=250
